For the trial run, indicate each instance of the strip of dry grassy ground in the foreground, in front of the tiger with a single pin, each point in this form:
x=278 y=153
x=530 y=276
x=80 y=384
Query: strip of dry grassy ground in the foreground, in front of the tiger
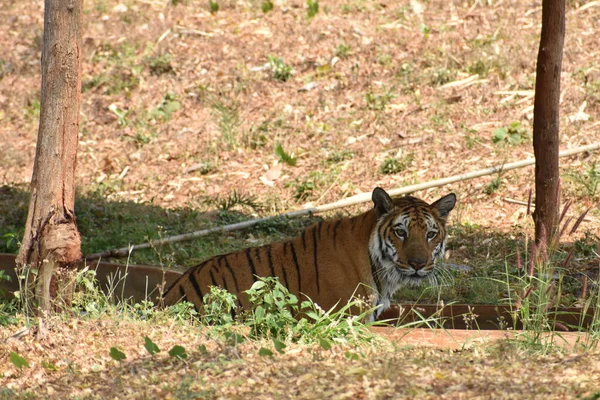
x=306 y=372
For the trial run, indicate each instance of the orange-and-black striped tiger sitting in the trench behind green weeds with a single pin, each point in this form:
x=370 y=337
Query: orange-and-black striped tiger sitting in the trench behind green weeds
x=397 y=242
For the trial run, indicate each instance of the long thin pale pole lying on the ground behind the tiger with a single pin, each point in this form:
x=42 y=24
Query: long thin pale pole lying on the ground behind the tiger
x=357 y=199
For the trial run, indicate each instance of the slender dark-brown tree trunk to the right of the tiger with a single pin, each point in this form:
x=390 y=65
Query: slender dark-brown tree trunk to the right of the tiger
x=546 y=120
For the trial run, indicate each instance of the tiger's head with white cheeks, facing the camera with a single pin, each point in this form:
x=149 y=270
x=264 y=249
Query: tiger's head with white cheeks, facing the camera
x=409 y=238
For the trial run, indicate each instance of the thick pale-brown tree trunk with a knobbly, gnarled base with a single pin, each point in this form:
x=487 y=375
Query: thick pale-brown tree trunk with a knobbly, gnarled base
x=51 y=242
